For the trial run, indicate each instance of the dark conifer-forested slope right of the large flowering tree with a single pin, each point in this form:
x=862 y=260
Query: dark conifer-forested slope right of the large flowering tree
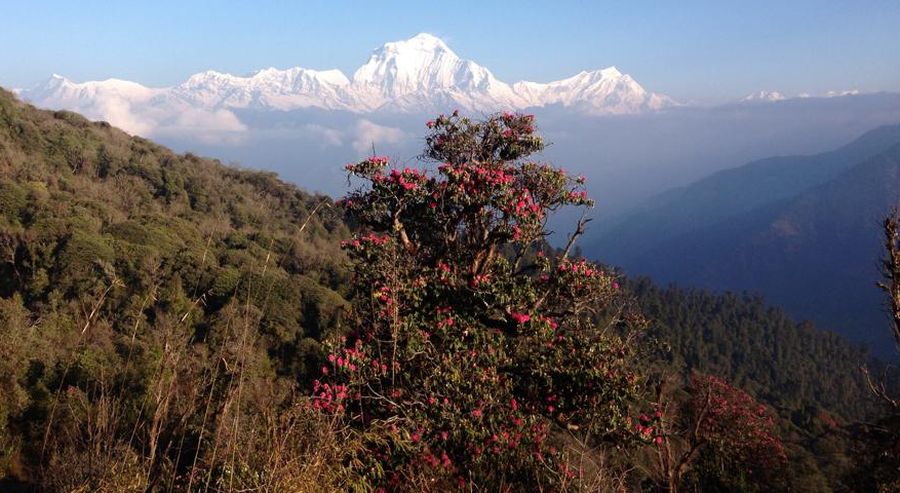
x=761 y=349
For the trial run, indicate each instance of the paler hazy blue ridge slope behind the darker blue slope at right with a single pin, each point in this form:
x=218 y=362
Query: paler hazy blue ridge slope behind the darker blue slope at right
x=729 y=193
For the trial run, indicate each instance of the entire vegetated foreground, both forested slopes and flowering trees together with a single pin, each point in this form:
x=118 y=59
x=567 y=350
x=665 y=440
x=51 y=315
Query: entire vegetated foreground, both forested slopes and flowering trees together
x=169 y=323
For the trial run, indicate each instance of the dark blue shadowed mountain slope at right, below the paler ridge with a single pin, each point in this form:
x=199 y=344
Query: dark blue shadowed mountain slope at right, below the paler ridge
x=814 y=254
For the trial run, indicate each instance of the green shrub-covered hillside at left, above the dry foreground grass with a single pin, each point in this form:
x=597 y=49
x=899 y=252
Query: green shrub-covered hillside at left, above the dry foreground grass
x=83 y=205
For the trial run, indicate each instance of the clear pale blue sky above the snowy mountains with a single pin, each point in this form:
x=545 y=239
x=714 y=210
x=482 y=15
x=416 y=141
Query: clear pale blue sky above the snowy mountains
x=705 y=51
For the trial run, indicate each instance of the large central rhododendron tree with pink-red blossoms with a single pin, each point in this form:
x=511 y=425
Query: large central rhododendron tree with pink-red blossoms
x=472 y=345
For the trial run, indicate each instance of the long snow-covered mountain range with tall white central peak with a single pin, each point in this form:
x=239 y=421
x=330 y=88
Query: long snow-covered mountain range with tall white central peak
x=418 y=74
